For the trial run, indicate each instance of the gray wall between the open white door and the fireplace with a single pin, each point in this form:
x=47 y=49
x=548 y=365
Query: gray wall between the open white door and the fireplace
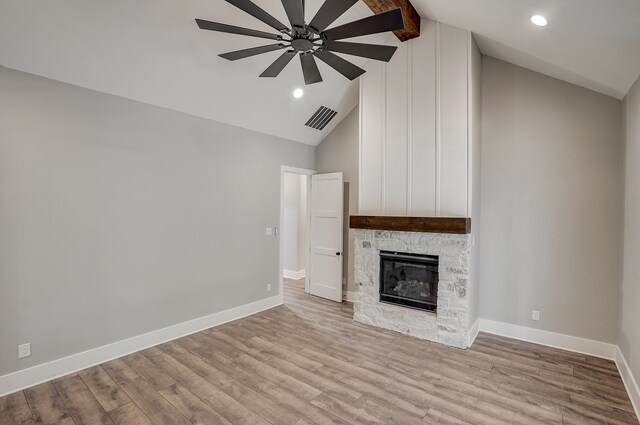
x=339 y=152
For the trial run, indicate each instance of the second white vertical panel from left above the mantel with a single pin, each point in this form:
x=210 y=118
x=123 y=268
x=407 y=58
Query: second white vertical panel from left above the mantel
x=395 y=139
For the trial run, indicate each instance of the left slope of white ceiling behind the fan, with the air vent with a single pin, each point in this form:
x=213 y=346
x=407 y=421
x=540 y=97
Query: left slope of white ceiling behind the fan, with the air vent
x=152 y=51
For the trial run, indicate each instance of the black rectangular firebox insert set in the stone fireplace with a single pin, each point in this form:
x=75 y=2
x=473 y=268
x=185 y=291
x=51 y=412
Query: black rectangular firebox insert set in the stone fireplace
x=409 y=280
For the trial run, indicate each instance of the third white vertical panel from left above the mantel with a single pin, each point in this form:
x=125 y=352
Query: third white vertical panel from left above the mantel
x=422 y=141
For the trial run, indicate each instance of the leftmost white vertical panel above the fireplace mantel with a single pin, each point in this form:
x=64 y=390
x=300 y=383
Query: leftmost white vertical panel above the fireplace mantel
x=372 y=129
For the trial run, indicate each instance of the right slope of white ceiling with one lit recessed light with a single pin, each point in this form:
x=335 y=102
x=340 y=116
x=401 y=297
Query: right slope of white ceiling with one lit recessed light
x=591 y=43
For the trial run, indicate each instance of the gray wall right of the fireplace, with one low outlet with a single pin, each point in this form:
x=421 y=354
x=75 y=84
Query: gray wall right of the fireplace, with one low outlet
x=552 y=179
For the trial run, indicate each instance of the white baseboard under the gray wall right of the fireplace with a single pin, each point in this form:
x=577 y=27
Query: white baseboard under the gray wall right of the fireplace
x=551 y=339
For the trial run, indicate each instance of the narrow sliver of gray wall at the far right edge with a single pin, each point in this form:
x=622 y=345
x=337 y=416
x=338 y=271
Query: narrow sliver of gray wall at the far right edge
x=629 y=330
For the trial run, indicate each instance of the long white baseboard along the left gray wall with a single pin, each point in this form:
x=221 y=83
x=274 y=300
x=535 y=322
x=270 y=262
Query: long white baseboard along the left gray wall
x=26 y=378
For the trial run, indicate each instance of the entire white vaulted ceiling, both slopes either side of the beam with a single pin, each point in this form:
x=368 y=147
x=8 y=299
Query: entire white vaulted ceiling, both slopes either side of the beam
x=152 y=51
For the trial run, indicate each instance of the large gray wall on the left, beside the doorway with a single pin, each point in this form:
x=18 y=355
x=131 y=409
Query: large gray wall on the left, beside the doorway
x=118 y=218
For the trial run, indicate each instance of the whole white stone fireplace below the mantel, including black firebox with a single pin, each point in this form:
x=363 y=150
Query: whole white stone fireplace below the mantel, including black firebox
x=427 y=272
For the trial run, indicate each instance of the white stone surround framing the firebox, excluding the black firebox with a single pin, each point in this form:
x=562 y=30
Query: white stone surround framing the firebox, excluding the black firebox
x=450 y=324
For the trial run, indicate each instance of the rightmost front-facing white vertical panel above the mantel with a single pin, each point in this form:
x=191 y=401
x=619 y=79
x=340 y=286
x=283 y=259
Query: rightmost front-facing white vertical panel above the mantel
x=453 y=60
